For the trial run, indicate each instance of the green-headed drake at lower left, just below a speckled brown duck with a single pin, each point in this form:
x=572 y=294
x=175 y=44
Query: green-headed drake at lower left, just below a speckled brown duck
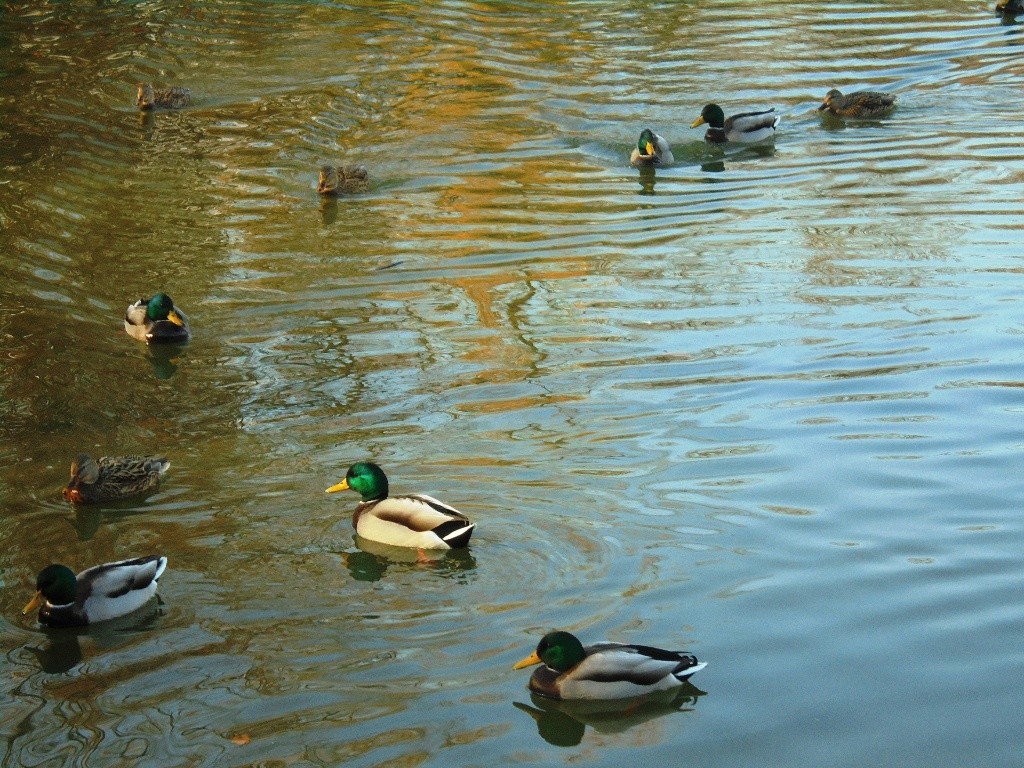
x=97 y=594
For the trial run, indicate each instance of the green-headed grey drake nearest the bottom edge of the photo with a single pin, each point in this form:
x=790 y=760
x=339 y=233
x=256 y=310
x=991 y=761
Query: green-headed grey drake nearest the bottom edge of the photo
x=605 y=671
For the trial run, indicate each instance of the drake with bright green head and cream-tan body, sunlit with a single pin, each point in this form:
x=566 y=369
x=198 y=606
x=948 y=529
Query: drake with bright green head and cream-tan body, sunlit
x=414 y=521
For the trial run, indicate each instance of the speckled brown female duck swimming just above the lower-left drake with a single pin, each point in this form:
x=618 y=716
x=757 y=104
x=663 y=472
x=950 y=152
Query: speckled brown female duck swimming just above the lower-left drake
x=113 y=478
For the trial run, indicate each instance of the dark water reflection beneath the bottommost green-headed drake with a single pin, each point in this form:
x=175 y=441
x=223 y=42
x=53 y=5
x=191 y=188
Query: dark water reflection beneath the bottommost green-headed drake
x=564 y=723
